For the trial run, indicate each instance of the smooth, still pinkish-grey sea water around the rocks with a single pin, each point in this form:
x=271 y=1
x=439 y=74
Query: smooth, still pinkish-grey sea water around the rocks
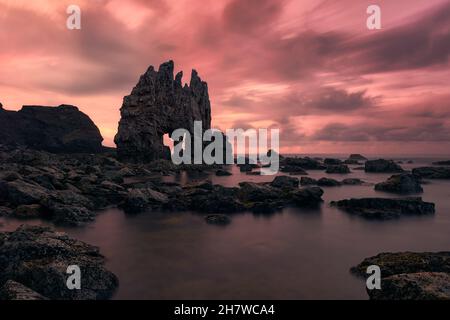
x=294 y=254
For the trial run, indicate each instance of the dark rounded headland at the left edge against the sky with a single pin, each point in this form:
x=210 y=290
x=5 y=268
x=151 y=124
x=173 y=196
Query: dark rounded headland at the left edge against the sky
x=62 y=129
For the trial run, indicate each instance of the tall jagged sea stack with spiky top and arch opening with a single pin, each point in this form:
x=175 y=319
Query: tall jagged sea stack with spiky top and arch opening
x=157 y=105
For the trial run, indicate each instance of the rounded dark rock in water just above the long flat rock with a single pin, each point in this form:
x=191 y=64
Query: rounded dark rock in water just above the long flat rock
x=401 y=183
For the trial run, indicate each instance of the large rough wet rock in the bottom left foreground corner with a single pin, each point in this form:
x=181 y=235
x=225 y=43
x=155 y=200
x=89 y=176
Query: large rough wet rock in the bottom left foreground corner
x=38 y=257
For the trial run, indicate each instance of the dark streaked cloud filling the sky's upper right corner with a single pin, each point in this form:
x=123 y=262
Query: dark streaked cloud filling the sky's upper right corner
x=423 y=42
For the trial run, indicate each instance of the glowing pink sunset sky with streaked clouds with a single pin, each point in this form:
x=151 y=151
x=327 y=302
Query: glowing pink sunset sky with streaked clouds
x=310 y=68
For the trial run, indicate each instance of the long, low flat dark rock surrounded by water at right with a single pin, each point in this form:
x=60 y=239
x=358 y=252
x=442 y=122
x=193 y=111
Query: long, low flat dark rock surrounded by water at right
x=385 y=208
